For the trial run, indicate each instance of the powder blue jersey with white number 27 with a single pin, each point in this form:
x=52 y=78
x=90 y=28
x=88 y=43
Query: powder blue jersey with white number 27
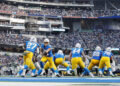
x=31 y=46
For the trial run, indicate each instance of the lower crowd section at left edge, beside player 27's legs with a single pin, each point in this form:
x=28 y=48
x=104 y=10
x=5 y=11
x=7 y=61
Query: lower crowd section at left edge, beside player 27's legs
x=9 y=63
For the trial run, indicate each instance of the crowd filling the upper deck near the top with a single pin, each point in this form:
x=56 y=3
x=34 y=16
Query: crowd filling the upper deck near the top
x=84 y=13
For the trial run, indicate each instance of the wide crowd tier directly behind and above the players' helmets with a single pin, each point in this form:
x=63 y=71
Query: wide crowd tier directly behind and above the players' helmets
x=89 y=40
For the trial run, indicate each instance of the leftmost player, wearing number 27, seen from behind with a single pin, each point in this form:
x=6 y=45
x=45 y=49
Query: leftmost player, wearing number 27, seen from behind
x=31 y=46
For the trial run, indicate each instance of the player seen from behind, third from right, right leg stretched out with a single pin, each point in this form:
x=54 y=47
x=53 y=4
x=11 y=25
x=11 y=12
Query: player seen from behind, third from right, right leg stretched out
x=76 y=54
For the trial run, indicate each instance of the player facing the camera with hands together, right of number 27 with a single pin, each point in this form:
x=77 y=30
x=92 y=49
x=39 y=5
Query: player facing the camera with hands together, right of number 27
x=47 y=55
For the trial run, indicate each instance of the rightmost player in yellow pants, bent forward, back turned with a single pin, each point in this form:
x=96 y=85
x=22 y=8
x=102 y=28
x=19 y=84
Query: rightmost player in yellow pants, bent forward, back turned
x=105 y=60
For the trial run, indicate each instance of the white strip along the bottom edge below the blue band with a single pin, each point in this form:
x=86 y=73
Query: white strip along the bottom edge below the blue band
x=54 y=84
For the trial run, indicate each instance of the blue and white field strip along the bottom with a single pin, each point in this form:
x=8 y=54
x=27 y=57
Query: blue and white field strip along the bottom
x=63 y=81
